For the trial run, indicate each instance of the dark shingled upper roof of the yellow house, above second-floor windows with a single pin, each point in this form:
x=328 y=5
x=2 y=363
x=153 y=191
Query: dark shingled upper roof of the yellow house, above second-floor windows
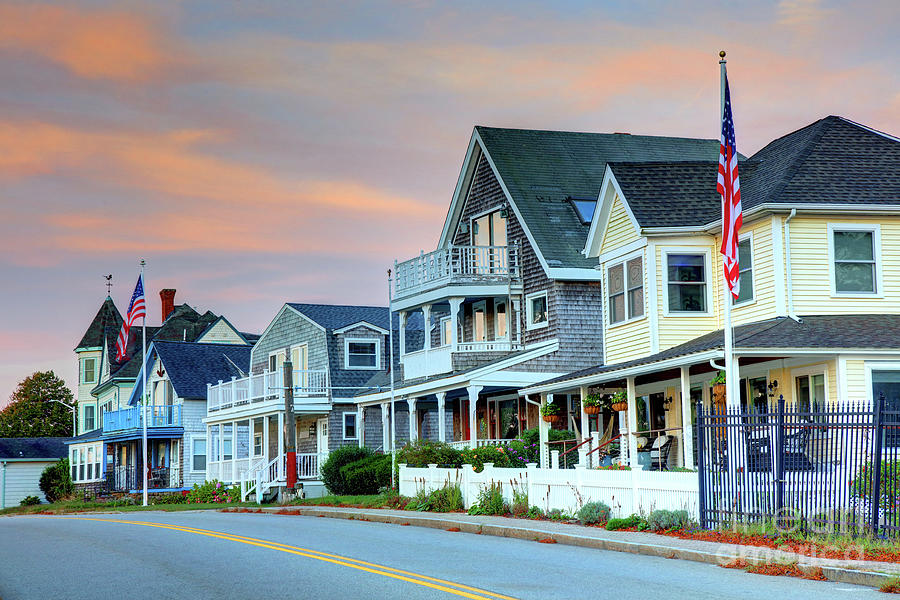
x=831 y=161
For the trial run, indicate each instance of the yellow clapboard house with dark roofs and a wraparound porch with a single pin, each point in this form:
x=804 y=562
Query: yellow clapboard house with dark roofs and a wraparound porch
x=818 y=317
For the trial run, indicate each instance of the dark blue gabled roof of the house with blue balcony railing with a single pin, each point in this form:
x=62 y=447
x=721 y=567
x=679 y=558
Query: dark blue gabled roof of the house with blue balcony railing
x=190 y=366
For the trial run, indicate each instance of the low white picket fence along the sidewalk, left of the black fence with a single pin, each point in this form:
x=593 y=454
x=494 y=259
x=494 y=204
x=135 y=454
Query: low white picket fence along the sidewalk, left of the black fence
x=626 y=492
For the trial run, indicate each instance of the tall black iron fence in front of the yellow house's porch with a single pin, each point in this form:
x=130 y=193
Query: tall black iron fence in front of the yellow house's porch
x=818 y=468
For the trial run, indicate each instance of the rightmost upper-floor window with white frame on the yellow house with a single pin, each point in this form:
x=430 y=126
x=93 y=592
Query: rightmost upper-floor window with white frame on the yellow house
x=854 y=249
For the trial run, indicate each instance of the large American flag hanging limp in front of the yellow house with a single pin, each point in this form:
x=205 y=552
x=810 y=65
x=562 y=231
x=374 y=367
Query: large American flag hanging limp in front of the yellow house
x=728 y=185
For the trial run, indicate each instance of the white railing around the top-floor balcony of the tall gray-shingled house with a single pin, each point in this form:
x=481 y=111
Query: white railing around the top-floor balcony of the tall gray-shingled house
x=456 y=264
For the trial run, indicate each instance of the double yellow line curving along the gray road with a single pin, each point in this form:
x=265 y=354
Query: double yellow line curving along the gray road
x=424 y=580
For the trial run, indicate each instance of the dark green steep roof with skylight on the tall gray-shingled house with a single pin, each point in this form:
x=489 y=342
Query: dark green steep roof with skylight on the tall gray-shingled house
x=542 y=169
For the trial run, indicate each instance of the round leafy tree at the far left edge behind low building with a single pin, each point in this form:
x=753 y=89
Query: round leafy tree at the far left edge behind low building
x=32 y=412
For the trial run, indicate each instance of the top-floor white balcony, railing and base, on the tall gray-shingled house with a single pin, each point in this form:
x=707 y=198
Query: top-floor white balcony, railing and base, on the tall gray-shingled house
x=476 y=270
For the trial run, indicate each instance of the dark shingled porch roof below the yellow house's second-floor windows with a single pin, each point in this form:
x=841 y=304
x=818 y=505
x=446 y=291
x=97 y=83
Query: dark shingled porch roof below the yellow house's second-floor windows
x=829 y=333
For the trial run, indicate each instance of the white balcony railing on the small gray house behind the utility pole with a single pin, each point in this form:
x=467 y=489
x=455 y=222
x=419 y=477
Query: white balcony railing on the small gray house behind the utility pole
x=268 y=385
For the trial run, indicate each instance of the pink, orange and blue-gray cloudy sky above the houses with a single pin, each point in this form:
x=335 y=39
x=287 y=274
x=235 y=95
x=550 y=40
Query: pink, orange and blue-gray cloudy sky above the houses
x=261 y=152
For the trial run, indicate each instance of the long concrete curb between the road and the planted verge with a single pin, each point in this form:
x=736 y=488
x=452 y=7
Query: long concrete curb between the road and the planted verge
x=834 y=573
